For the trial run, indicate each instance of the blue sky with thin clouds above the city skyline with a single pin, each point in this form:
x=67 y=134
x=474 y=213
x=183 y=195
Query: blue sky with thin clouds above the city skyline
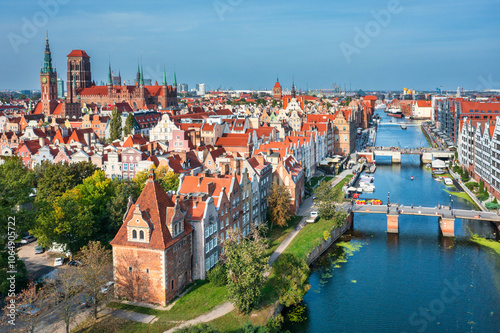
x=247 y=44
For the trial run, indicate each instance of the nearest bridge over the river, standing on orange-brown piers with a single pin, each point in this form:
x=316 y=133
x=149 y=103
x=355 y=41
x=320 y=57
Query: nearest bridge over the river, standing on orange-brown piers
x=445 y=214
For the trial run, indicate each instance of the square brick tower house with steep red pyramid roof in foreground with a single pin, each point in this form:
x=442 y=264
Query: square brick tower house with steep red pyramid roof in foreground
x=153 y=249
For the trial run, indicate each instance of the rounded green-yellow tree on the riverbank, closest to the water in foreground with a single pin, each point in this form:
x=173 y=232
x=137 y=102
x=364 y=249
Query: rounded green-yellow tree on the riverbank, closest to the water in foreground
x=291 y=278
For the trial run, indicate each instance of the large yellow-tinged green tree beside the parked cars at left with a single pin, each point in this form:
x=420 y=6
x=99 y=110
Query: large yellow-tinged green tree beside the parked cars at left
x=67 y=221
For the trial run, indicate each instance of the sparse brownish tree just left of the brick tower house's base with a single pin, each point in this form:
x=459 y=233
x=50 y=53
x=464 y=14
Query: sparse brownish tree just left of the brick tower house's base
x=97 y=272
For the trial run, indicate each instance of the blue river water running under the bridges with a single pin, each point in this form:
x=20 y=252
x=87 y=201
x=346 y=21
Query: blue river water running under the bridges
x=414 y=281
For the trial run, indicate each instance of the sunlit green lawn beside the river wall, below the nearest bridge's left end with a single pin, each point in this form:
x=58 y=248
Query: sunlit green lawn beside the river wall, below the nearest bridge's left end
x=308 y=238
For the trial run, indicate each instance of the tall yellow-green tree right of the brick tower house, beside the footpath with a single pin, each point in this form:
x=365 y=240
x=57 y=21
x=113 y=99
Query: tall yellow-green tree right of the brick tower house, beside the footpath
x=246 y=261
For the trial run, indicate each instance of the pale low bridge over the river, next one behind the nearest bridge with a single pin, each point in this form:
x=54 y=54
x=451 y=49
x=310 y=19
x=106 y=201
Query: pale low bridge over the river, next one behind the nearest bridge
x=427 y=154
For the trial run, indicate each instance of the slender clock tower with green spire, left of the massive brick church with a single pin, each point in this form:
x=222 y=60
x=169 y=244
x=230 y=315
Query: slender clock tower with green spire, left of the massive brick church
x=48 y=82
